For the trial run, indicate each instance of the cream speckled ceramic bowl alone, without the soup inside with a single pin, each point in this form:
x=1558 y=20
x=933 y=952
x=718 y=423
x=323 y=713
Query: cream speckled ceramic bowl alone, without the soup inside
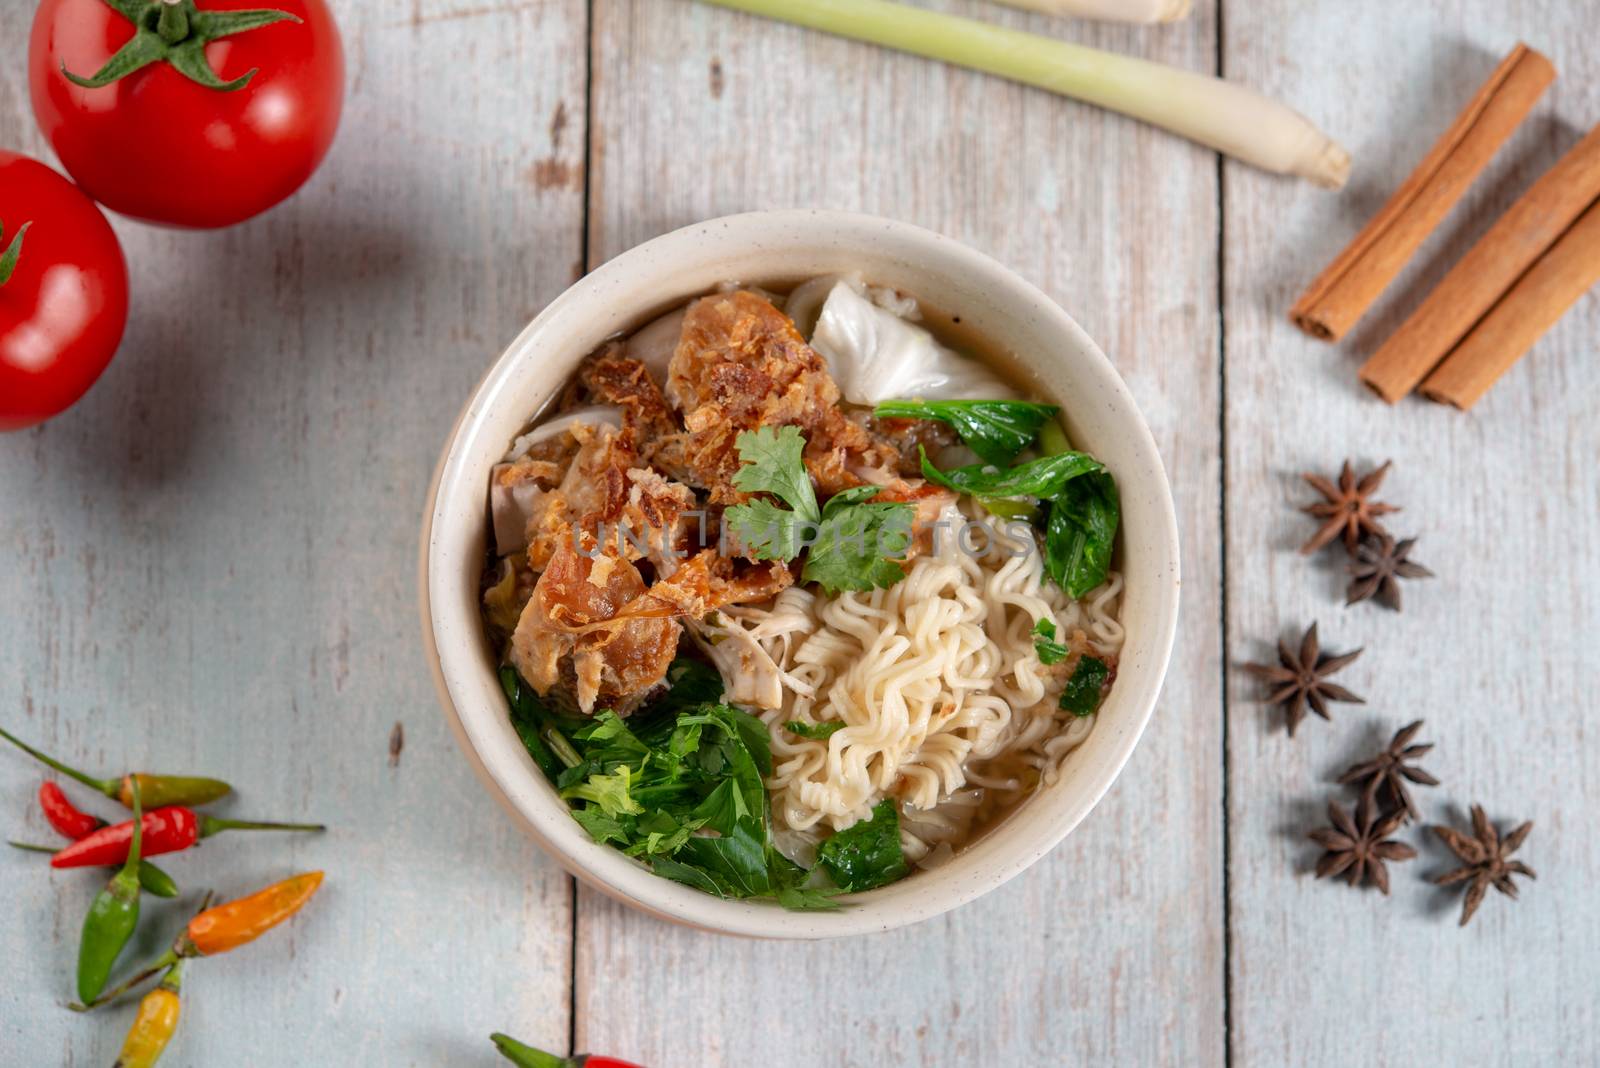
x=777 y=249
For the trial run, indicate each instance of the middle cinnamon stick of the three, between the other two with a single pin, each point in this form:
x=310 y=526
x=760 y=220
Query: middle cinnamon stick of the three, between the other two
x=1484 y=276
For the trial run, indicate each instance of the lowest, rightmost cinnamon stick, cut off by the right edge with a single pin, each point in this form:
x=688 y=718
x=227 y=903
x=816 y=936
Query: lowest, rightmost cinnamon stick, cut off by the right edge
x=1530 y=308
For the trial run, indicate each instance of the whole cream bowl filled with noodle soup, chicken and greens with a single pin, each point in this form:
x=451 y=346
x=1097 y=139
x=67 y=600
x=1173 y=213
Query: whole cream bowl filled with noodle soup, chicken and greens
x=730 y=720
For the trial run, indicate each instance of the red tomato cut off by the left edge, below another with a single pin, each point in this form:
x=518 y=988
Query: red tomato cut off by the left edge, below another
x=66 y=305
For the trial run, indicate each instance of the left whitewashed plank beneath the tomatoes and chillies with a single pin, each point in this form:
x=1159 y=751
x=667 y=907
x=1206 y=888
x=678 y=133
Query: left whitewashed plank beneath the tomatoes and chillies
x=210 y=564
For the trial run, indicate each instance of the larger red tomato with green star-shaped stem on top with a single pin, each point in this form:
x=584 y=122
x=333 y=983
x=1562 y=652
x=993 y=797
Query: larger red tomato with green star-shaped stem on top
x=162 y=148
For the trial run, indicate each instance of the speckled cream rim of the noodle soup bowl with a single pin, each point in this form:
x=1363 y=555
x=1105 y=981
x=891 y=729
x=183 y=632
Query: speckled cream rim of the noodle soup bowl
x=518 y=786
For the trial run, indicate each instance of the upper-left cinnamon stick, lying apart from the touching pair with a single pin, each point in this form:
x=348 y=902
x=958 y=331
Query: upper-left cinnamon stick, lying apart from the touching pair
x=1343 y=293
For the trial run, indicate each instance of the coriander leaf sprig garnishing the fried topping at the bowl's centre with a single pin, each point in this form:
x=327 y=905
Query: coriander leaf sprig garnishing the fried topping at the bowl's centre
x=850 y=541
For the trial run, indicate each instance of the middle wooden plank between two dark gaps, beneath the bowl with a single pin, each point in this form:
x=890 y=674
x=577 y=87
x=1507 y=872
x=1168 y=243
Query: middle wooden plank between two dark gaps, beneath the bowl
x=1113 y=947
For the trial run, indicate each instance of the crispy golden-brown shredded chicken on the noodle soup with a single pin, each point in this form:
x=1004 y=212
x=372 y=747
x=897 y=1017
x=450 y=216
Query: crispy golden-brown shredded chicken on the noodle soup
x=606 y=514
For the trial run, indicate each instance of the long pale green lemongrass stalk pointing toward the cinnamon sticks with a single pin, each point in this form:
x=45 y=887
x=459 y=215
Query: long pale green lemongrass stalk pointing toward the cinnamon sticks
x=1218 y=114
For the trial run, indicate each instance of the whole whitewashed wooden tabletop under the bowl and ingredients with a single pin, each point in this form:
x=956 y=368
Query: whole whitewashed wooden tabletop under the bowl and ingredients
x=210 y=562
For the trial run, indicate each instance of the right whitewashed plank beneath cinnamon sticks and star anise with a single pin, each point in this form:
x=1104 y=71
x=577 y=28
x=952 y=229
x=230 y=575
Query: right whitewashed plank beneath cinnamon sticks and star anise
x=1497 y=653
